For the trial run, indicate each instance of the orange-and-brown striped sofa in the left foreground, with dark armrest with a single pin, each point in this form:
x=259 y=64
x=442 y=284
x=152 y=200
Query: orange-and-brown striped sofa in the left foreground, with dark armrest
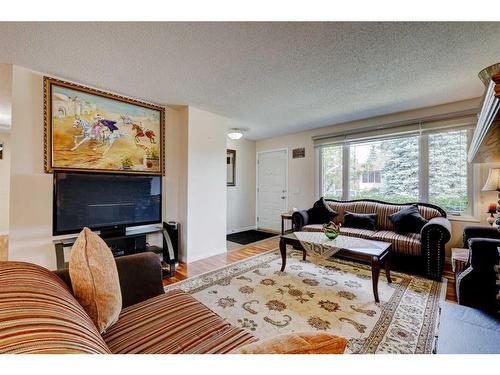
x=39 y=314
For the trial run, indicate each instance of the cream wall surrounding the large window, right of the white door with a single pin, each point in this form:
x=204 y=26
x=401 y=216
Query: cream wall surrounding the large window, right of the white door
x=301 y=172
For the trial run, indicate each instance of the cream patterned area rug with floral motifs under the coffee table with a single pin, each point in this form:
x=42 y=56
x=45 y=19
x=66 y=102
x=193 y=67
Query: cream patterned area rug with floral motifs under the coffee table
x=333 y=295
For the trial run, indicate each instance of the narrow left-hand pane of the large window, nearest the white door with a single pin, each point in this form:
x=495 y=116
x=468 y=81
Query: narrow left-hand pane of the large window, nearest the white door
x=331 y=172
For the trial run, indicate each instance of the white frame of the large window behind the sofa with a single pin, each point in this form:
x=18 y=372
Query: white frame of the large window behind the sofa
x=423 y=140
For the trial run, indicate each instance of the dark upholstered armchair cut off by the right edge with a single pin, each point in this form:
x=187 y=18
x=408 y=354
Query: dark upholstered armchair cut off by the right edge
x=477 y=284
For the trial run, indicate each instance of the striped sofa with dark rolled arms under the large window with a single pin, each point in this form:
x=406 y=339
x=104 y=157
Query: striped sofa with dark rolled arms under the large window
x=427 y=246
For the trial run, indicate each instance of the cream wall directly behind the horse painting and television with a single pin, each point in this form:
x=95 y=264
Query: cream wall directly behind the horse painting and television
x=30 y=234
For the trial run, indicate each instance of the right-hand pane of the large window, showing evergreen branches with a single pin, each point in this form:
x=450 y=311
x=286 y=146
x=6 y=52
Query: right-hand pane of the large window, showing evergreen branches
x=448 y=170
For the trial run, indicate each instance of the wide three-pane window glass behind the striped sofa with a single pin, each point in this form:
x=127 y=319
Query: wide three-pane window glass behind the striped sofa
x=391 y=170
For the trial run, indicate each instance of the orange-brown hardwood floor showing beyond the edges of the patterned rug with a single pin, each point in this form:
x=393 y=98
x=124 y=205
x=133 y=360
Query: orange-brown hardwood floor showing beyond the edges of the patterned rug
x=185 y=271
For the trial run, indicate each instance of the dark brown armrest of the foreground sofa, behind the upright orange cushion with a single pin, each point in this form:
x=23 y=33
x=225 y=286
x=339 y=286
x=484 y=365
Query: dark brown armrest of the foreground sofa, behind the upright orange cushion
x=140 y=277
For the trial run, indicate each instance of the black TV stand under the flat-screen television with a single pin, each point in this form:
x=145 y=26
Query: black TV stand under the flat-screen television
x=121 y=244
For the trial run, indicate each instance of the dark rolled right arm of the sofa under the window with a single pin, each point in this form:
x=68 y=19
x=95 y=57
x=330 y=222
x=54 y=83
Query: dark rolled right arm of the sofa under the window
x=434 y=236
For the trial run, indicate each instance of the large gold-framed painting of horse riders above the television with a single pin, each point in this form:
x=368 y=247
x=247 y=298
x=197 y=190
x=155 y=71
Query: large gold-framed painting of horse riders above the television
x=94 y=131
